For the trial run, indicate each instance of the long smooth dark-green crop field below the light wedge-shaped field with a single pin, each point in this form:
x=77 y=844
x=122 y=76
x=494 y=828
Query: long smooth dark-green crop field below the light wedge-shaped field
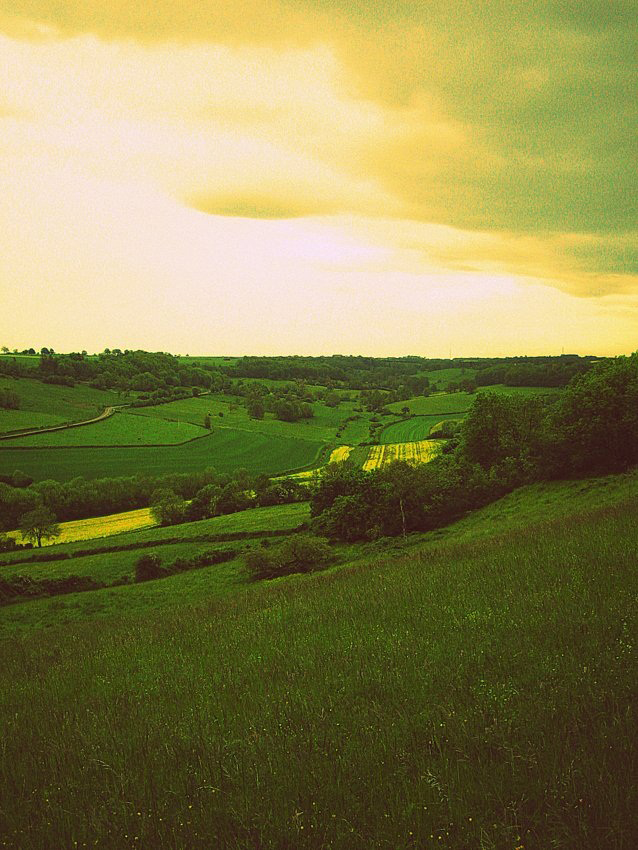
x=225 y=449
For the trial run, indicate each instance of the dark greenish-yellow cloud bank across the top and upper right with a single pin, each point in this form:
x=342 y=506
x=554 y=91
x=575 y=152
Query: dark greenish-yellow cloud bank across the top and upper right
x=493 y=116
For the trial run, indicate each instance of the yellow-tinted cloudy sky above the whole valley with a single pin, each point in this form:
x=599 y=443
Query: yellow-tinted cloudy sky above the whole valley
x=381 y=177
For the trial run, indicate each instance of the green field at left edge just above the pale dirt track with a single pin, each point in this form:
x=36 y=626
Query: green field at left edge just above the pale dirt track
x=47 y=404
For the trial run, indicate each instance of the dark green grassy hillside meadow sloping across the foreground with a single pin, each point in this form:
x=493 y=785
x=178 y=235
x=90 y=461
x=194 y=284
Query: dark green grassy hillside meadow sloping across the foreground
x=475 y=692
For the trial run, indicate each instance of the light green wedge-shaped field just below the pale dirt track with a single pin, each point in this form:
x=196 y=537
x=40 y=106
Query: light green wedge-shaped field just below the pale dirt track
x=118 y=430
